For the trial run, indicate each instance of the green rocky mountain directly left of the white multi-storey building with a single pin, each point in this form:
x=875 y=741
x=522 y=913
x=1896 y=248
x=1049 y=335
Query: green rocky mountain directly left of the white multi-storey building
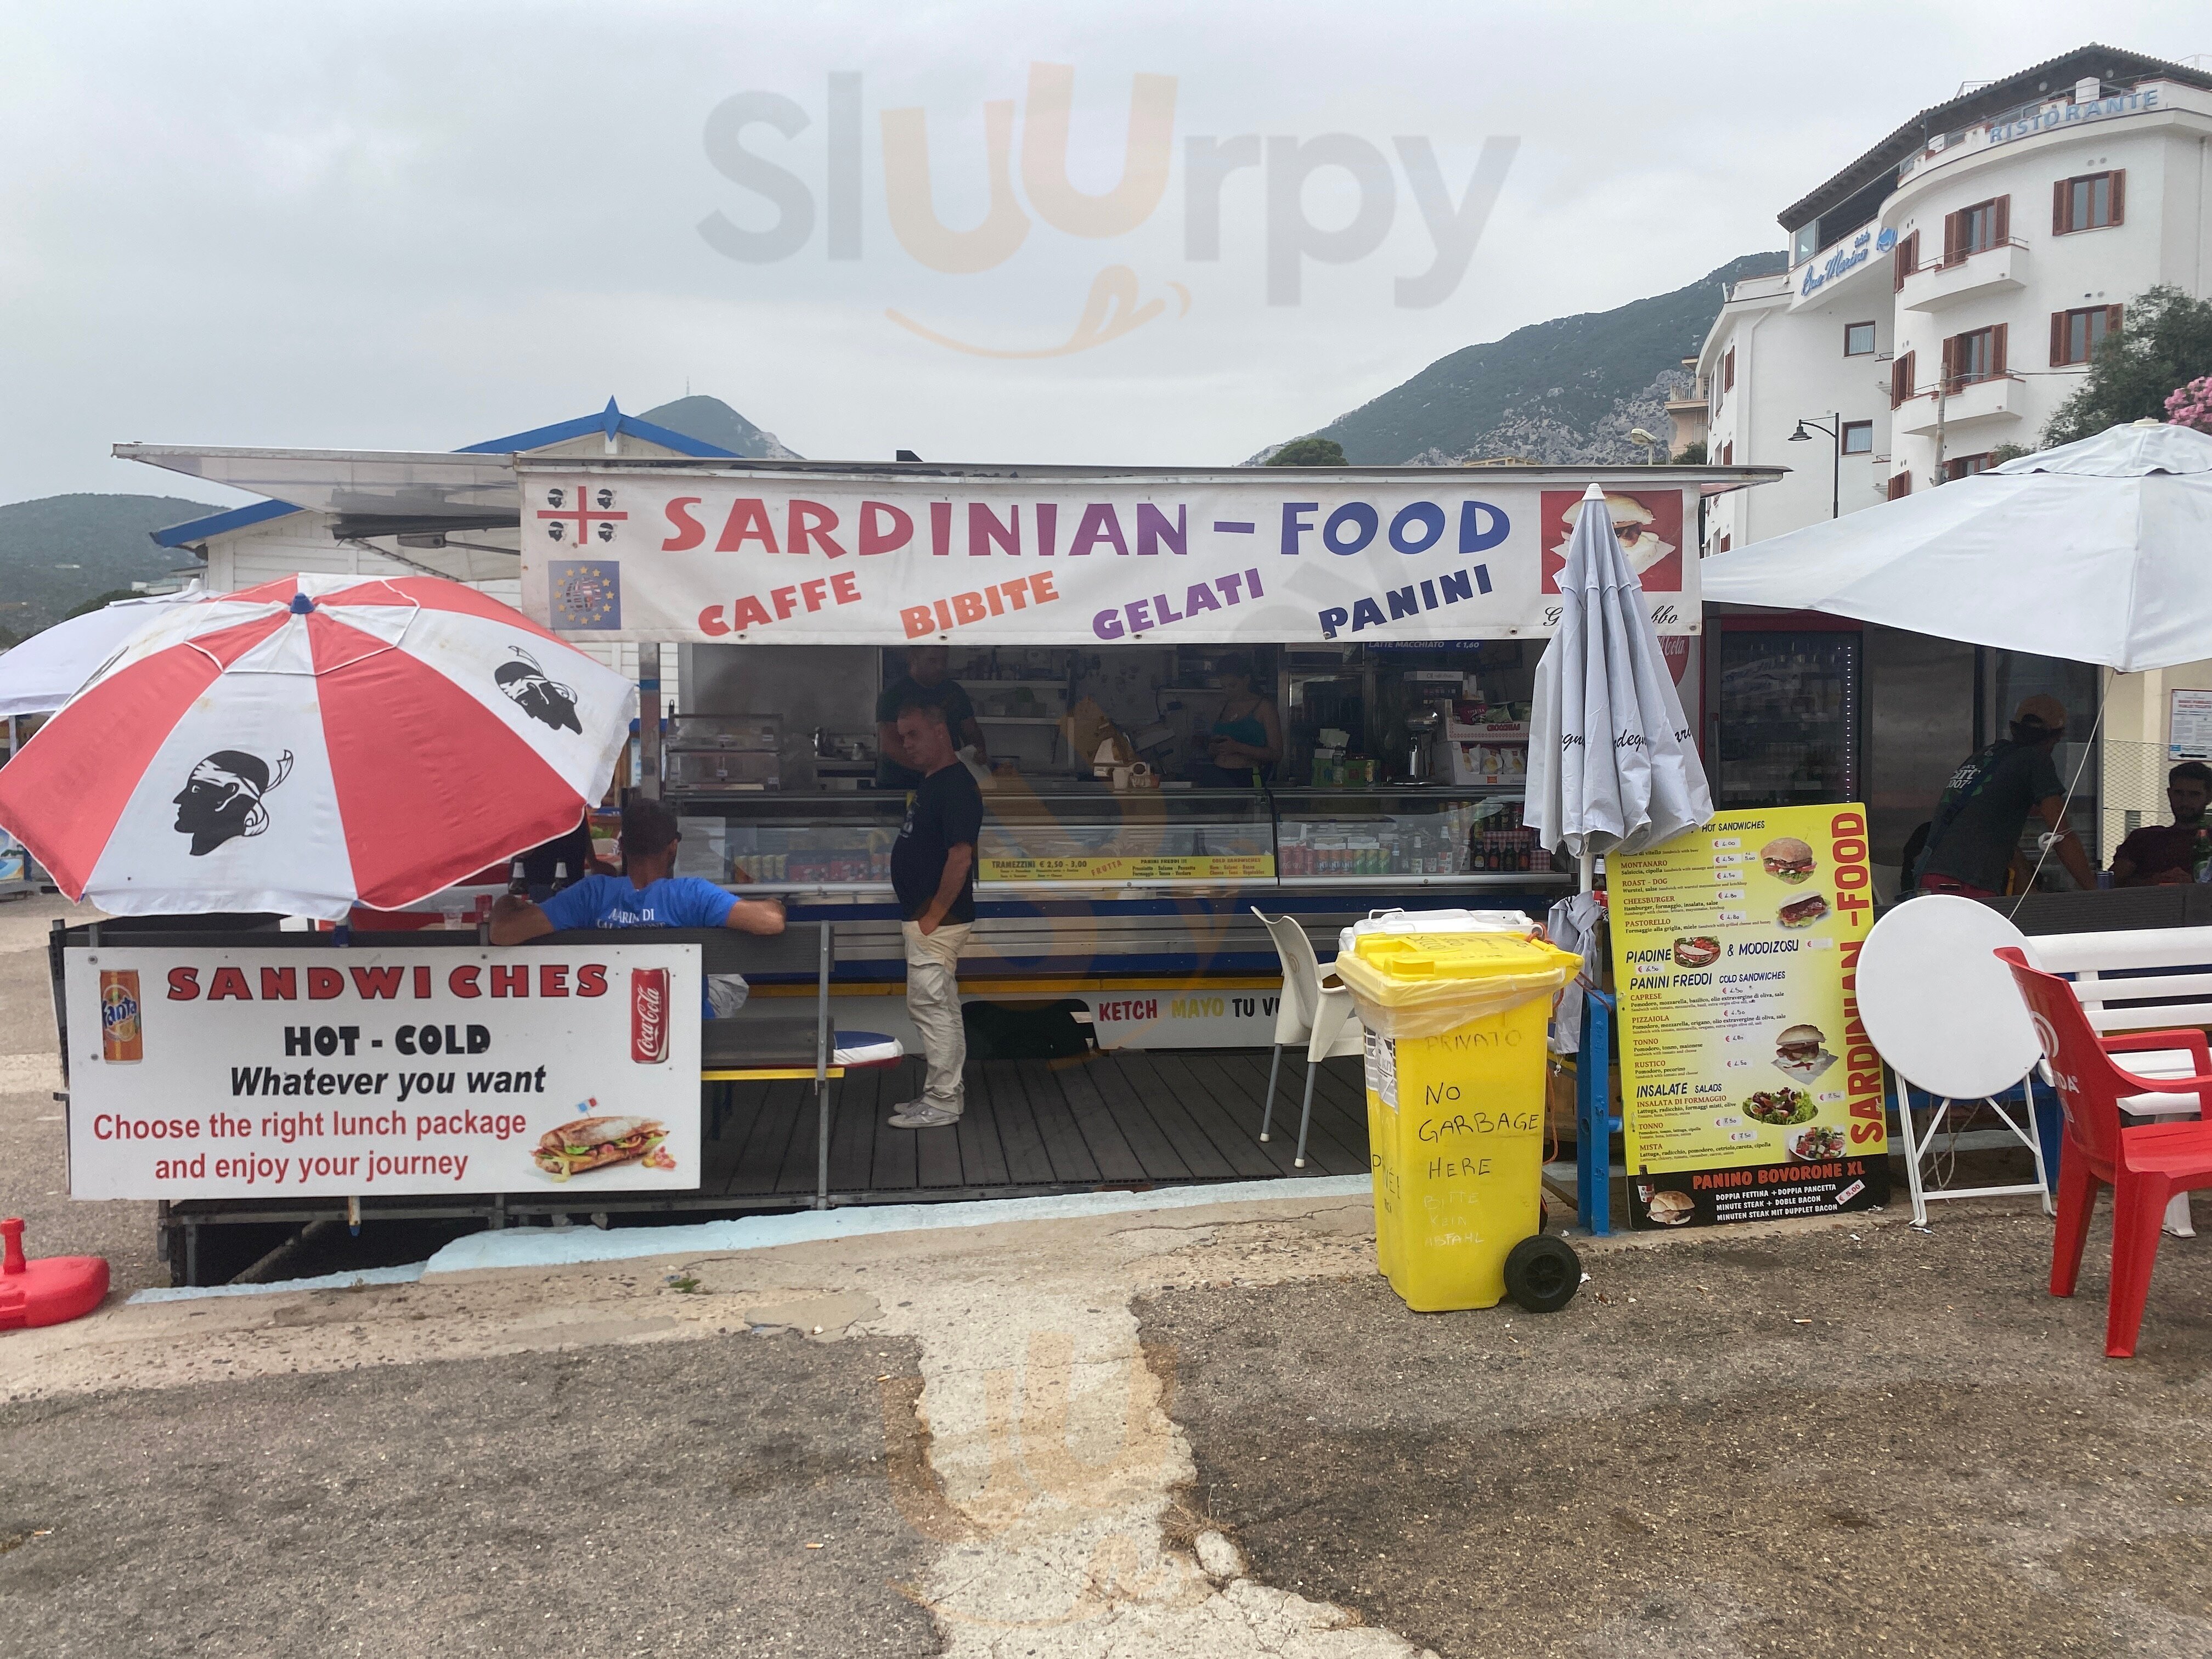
x=1565 y=390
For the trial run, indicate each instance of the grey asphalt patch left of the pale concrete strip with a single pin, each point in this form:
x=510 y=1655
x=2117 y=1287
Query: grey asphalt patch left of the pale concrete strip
x=643 y=1499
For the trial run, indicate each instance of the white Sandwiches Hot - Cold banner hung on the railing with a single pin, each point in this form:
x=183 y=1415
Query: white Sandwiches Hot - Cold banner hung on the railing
x=264 y=1074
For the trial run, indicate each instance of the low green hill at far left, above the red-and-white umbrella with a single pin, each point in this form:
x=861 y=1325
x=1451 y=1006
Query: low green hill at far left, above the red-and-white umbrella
x=59 y=552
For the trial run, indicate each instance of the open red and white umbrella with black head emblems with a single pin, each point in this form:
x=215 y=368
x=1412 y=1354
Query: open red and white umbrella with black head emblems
x=311 y=744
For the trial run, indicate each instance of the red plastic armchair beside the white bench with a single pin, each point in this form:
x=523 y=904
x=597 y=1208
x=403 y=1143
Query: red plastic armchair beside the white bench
x=2145 y=1165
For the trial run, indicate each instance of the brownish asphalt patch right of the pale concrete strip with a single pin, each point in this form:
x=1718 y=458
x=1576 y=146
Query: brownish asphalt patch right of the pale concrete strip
x=1760 y=1443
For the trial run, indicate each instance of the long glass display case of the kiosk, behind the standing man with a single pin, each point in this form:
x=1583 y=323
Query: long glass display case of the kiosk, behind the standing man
x=1074 y=837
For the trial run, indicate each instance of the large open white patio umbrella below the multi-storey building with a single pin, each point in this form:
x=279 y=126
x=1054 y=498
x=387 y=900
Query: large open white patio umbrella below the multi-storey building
x=2098 y=552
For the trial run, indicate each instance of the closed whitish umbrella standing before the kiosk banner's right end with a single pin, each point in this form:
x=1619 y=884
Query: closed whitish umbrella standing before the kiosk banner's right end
x=1609 y=755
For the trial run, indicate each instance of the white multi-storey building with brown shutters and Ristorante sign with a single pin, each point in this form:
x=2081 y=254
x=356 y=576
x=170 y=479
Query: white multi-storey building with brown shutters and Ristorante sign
x=1945 y=289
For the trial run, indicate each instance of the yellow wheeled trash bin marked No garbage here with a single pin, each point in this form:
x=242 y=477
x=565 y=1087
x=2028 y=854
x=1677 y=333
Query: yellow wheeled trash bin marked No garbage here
x=1457 y=1116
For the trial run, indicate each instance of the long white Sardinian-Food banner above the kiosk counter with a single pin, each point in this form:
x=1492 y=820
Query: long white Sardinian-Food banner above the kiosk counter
x=1266 y=554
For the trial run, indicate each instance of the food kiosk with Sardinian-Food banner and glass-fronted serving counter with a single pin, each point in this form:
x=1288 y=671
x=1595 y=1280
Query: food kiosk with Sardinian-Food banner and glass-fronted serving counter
x=1392 y=616
